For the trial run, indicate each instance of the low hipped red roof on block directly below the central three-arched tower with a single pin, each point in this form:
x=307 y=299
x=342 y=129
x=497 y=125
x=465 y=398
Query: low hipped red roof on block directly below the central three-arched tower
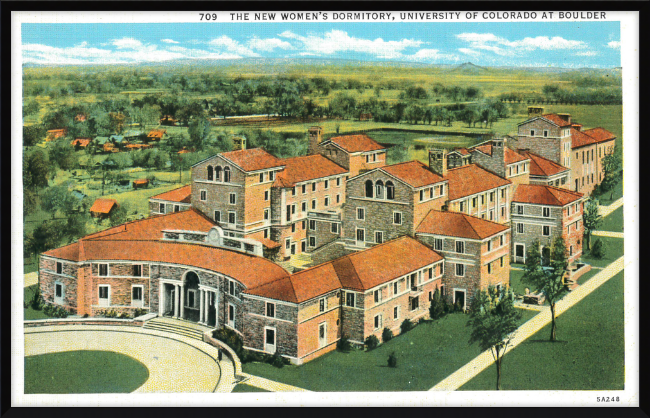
x=460 y=225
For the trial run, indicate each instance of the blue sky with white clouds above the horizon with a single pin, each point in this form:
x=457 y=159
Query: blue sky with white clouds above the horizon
x=528 y=44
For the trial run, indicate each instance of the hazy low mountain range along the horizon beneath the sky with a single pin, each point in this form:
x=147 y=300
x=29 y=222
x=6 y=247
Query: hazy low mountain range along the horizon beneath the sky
x=282 y=64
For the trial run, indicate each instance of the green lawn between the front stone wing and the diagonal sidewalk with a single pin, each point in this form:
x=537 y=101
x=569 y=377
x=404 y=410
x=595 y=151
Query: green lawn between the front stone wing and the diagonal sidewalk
x=425 y=356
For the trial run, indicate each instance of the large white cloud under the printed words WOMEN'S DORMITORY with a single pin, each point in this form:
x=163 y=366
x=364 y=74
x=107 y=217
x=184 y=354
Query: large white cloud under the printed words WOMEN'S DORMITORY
x=339 y=41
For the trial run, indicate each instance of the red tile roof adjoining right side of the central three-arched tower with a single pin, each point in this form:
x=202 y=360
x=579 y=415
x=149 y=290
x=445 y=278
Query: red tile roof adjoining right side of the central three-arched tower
x=472 y=179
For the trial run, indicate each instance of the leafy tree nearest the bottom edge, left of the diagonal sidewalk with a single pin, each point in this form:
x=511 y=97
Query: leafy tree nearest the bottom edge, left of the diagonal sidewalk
x=494 y=320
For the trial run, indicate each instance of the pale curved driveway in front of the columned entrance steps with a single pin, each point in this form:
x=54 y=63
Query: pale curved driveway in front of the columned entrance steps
x=175 y=363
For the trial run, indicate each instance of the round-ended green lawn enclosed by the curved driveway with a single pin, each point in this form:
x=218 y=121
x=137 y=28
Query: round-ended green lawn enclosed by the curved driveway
x=83 y=372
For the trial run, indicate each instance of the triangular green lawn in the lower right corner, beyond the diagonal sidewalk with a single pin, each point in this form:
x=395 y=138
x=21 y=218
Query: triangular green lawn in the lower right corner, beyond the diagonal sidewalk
x=589 y=356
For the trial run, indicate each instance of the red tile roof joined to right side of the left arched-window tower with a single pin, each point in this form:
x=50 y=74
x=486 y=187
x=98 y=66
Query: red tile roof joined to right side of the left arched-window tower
x=298 y=169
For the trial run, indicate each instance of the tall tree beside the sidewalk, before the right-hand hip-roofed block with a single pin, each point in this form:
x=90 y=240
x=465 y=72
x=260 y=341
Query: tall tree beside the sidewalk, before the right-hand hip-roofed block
x=548 y=280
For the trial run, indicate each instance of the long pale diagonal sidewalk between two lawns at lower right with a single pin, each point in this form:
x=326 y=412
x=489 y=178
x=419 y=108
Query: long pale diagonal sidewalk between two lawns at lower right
x=485 y=359
